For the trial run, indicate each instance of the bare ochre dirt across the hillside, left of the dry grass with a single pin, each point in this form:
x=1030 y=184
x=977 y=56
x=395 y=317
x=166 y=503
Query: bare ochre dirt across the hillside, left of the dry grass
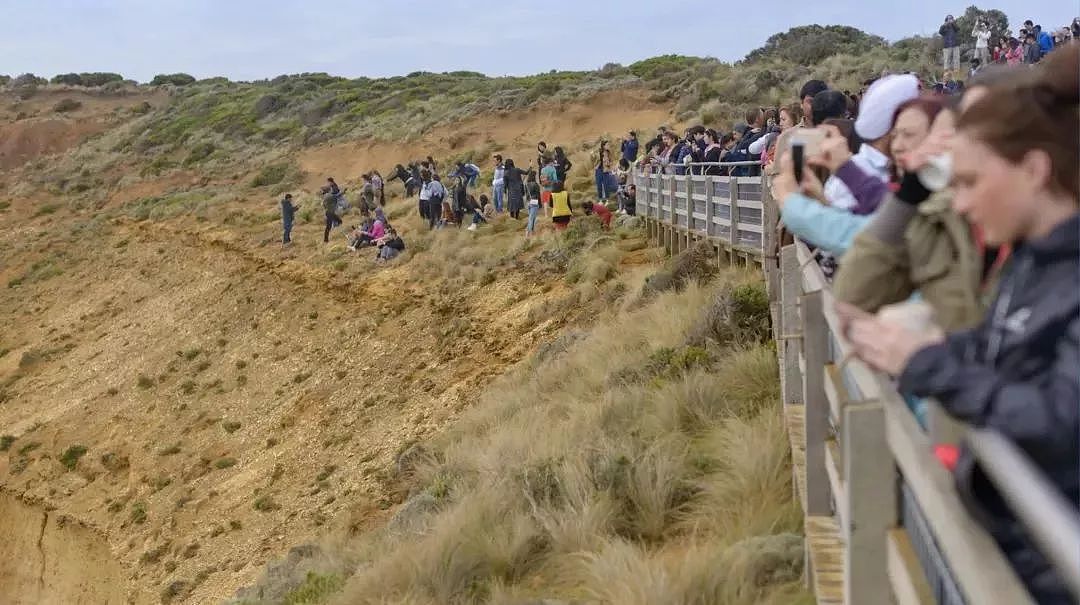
x=233 y=399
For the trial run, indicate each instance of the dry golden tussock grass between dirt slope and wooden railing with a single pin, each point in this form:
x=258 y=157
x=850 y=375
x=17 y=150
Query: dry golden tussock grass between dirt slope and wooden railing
x=669 y=487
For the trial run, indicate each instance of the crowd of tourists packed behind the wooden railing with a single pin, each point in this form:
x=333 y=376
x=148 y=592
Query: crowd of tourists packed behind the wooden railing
x=950 y=225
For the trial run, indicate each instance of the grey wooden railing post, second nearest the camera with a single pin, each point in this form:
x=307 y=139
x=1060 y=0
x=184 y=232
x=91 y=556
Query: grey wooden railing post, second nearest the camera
x=815 y=357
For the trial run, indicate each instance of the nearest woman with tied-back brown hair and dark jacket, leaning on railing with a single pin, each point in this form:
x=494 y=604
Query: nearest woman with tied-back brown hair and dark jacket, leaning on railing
x=1017 y=178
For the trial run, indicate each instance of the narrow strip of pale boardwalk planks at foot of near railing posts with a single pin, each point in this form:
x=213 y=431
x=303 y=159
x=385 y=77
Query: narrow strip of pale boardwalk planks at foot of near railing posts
x=822 y=533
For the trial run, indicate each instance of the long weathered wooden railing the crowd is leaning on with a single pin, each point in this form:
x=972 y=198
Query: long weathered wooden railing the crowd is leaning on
x=869 y=481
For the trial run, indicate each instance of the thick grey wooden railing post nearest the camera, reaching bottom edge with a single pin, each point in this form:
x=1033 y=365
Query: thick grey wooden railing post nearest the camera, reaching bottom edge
x=870 y=481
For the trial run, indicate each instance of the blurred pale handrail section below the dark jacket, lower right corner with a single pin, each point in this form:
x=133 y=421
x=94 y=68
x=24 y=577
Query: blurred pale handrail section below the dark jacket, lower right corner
x=1051 y=521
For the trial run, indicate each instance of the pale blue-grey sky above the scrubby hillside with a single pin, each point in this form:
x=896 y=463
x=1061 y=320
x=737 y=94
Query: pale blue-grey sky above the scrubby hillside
x=255 y=39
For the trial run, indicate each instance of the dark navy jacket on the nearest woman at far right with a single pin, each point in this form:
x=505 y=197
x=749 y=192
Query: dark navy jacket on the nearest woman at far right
x=1019 y=373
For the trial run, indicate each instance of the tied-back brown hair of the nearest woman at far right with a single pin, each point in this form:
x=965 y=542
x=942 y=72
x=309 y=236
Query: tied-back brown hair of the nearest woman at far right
x=1039 y=113
